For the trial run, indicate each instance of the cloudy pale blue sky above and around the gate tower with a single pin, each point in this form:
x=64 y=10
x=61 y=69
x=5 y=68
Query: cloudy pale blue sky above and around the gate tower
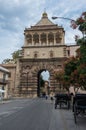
x=16 y=15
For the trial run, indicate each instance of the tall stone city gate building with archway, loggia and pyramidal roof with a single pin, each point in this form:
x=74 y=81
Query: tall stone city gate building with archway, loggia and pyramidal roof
x=44 y=49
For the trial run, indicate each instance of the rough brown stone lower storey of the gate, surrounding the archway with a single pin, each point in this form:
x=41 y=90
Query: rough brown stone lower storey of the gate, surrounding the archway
x=30 y=70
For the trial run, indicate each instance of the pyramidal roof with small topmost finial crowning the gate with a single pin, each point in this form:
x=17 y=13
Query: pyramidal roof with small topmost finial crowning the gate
x=44 y=20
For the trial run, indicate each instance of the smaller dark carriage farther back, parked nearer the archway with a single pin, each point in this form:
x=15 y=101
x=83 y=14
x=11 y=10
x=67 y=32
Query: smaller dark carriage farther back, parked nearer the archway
x=62 y=99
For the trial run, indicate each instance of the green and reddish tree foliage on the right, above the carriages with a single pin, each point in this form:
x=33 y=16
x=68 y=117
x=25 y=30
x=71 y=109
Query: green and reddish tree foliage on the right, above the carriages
x=75 y=67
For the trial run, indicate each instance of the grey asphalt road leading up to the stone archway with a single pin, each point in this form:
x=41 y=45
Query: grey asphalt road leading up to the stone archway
x=37 y=114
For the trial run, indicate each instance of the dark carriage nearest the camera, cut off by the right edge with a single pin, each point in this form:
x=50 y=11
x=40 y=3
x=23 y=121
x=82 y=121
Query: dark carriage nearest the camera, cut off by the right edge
x=79 y=106
